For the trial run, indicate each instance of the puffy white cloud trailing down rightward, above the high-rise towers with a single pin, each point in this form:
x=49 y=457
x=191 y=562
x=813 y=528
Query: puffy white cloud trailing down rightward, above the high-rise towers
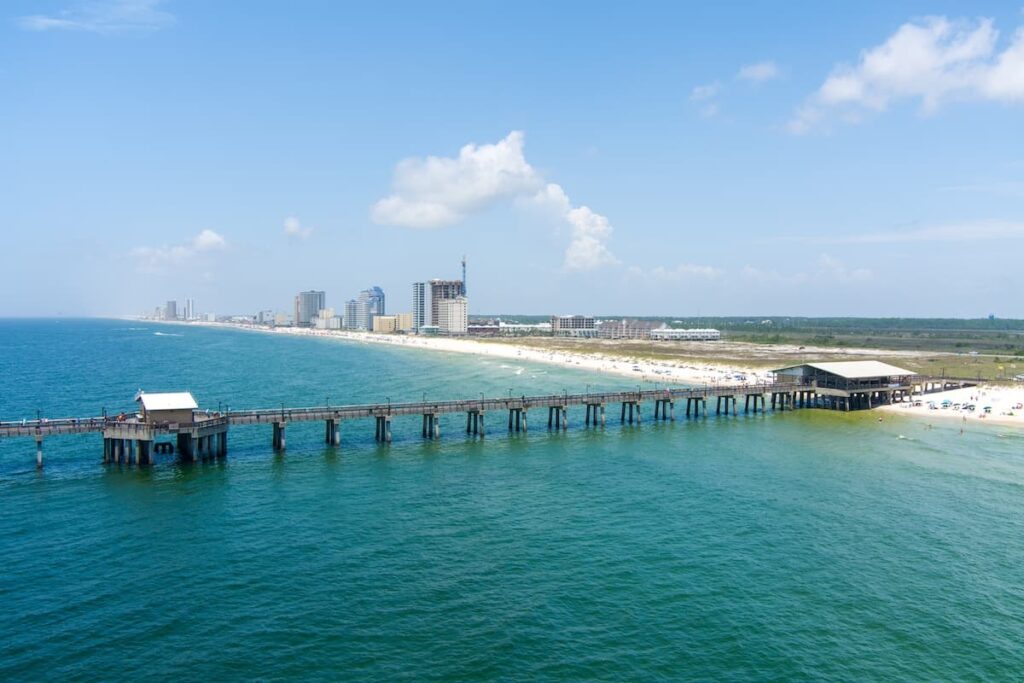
x=439 y=192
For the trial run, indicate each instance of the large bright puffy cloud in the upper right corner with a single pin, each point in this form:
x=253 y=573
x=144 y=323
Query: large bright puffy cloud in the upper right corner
x=932 y=61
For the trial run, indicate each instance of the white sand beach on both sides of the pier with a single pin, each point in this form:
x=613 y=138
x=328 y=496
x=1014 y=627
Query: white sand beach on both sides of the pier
x=1002 y=400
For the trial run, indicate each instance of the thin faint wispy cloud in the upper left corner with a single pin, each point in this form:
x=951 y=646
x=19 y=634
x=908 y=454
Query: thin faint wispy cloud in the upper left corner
x=103 y=17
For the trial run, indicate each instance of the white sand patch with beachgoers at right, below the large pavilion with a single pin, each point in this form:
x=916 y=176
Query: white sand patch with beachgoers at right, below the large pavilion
x=1007 y=405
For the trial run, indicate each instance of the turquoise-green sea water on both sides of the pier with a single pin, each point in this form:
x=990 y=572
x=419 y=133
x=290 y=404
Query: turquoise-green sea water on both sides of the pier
x=806 y=545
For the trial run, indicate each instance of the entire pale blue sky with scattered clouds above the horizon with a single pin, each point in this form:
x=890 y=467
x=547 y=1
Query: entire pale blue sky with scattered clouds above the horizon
x=629 y=159
